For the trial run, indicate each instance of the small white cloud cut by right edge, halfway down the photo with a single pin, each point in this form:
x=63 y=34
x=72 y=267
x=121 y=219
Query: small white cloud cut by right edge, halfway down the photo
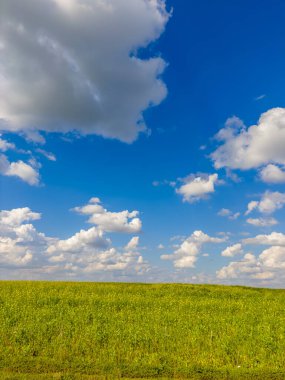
x=269 y=203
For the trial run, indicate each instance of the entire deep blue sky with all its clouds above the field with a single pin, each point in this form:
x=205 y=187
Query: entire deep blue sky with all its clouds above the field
x=143 y=141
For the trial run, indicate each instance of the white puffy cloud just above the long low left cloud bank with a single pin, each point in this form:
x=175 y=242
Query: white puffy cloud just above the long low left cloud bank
x=122 y=221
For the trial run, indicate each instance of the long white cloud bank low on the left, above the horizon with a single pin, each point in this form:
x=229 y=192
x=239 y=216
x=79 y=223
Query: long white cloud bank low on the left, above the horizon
x=84 y=253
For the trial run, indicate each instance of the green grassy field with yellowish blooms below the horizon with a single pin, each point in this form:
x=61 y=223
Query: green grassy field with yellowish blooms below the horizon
x=105 y=331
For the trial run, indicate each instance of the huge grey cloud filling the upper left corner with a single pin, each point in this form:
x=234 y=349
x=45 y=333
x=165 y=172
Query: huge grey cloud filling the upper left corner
x=74 y=65
